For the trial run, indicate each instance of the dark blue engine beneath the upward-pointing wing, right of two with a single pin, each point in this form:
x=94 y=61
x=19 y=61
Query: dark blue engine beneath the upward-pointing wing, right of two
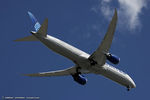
x=112 y=58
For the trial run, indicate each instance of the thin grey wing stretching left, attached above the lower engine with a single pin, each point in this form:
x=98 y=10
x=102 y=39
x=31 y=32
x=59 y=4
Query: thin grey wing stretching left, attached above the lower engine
x=65 y=72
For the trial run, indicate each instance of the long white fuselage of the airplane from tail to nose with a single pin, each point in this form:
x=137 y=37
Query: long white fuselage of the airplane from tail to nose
x=80 y=58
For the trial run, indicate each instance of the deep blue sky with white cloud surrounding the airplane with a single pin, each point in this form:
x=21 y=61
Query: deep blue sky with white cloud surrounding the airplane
x=81 y=23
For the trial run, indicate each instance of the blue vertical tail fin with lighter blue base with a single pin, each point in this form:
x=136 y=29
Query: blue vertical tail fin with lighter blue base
x=34 y=21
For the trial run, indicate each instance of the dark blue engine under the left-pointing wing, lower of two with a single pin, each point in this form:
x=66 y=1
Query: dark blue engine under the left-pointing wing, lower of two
x=79 y=79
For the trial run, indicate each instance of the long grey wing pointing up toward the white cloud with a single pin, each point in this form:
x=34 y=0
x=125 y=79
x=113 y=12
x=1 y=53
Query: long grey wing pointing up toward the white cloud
x=99 y=54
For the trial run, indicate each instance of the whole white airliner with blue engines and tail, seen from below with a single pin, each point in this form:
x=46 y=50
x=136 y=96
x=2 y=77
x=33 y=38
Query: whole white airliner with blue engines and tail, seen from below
x=84 y=62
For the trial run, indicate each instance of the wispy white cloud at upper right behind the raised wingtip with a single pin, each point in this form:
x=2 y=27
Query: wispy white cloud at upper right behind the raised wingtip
x=128 y=11
